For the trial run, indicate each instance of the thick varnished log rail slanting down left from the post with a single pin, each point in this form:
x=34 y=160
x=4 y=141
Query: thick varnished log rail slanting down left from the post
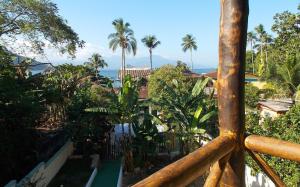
x=192 y=166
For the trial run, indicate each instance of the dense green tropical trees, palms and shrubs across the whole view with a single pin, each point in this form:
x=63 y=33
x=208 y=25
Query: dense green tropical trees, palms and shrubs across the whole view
x=76 y=102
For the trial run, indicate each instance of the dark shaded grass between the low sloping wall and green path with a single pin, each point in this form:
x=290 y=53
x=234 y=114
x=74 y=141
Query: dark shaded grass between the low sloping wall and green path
x=75 y=172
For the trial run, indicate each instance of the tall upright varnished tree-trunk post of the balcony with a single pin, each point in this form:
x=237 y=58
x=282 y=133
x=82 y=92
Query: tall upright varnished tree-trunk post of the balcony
x=231 y=75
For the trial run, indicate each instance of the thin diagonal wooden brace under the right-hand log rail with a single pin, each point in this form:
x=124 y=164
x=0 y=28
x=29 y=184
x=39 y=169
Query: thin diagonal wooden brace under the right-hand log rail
x=266 y=168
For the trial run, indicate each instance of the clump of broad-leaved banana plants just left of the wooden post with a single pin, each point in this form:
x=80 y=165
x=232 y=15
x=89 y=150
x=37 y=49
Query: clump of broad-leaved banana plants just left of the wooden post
x=188 y=112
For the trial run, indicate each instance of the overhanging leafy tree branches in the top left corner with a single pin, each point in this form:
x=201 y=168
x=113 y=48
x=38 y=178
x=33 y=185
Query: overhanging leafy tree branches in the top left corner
x=37 y=22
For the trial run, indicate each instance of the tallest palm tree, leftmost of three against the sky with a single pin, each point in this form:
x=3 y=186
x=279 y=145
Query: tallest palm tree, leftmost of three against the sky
x=124 y=38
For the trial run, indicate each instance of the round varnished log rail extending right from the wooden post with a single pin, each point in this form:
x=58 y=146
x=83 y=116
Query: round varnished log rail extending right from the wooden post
x=274 y=147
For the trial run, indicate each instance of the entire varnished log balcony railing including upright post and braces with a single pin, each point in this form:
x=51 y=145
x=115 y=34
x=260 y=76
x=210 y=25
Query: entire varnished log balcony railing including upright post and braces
x=226 y=153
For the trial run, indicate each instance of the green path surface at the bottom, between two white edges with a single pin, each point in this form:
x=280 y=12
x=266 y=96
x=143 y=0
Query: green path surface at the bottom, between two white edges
x=108 y=174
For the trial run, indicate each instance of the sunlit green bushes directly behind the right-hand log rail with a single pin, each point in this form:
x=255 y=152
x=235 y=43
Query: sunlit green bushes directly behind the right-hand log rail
x=286 y=127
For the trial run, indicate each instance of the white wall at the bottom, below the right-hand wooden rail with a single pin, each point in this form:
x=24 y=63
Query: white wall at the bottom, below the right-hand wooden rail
x=259 y=180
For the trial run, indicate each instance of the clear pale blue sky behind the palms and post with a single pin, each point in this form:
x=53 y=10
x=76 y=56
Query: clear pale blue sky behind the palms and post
x=169 y=20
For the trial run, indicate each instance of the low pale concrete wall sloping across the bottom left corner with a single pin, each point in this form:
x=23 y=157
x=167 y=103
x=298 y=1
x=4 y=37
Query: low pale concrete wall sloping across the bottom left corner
x=43 y=173
